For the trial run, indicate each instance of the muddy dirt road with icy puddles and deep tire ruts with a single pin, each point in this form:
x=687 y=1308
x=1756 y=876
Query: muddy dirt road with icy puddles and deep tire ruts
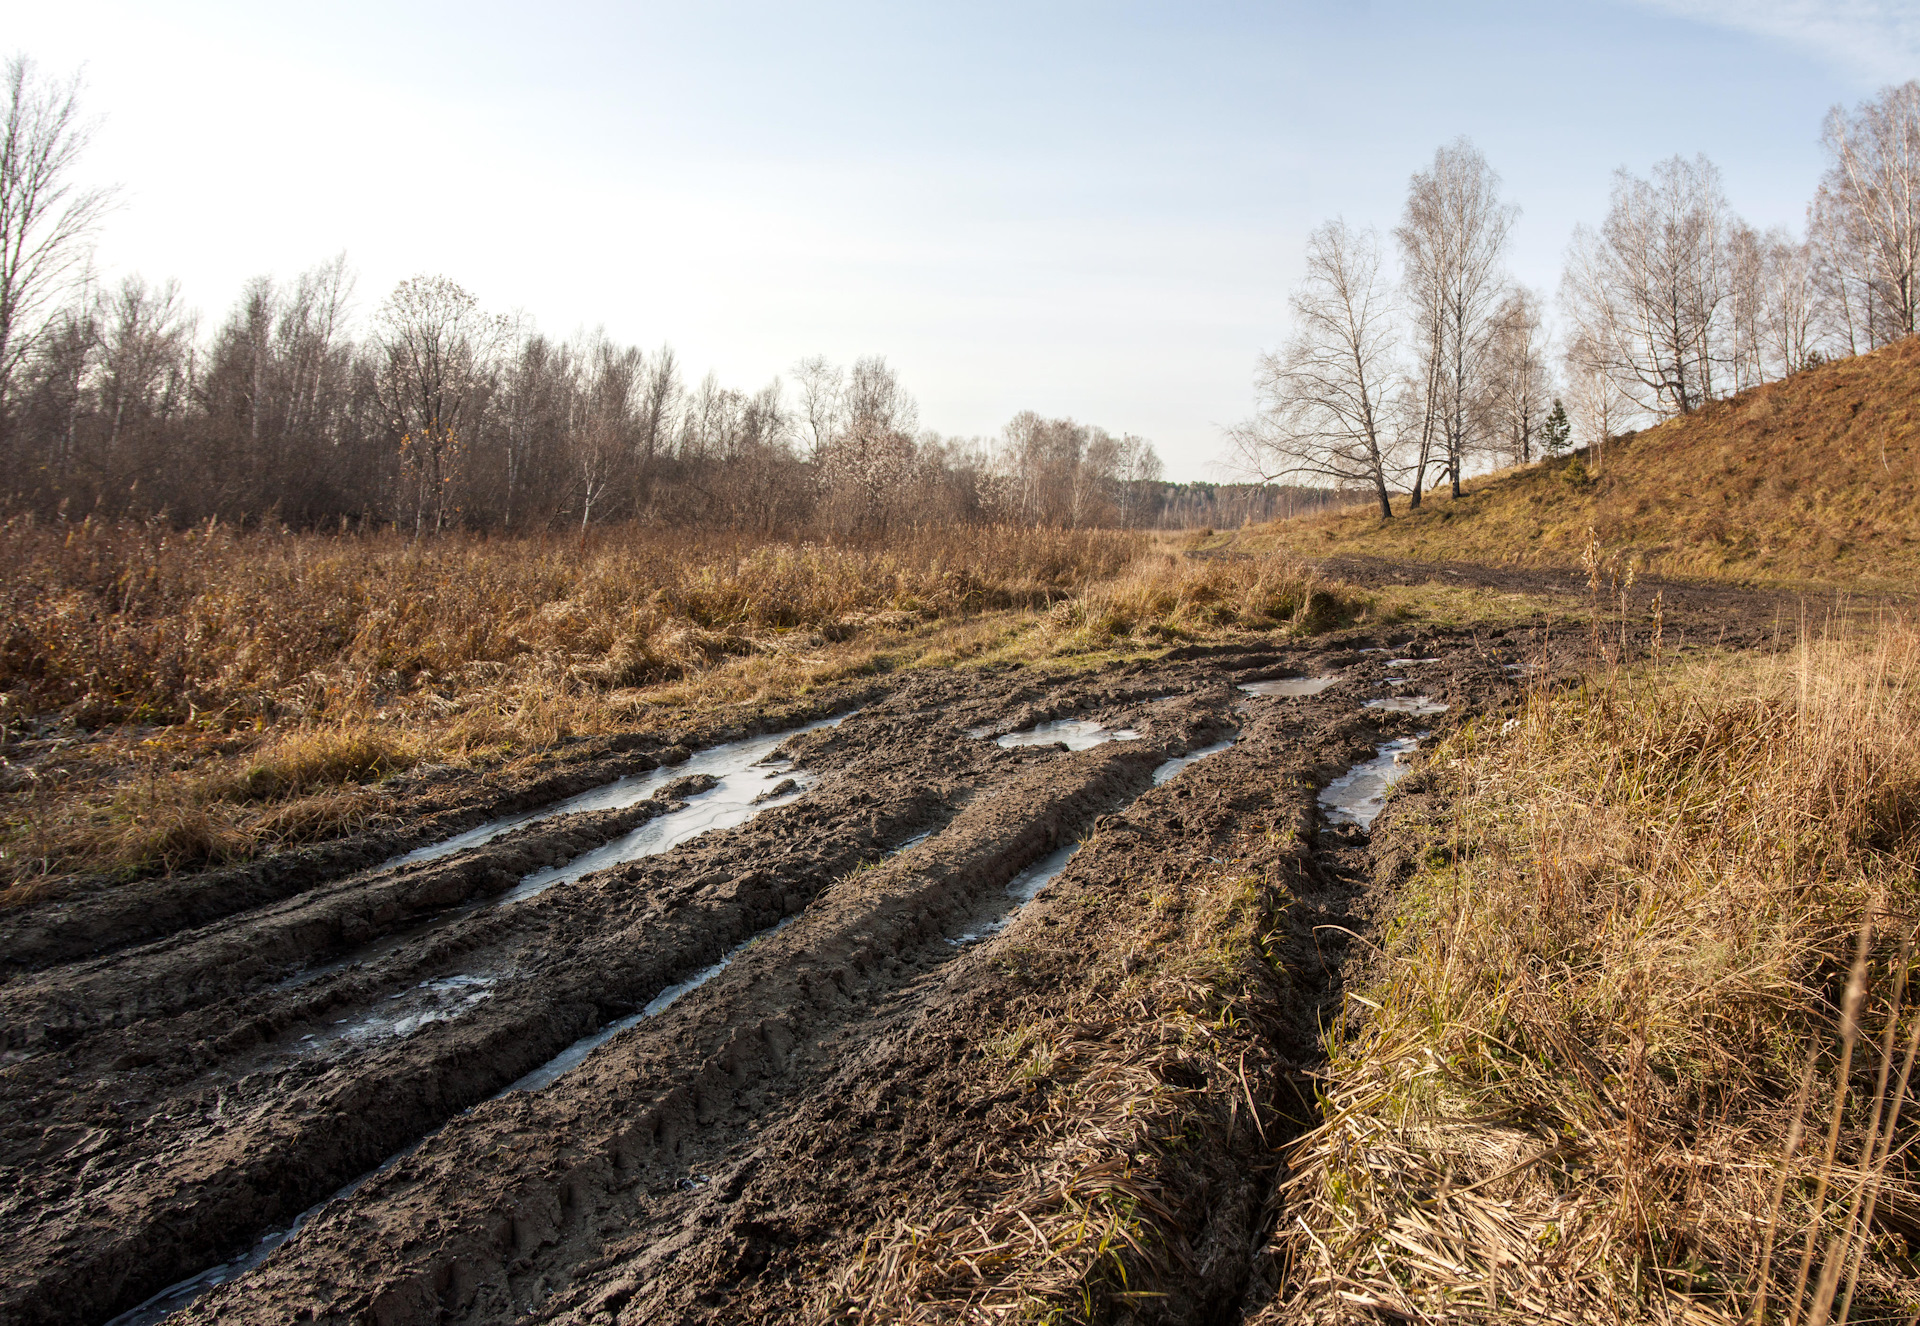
x=667 y=1035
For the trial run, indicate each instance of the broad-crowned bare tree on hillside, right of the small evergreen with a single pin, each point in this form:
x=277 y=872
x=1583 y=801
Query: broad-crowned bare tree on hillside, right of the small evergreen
x=1648 y=295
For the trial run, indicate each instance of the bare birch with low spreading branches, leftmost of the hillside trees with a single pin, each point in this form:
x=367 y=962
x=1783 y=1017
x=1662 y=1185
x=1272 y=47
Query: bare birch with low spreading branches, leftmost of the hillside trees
x=1324 y=400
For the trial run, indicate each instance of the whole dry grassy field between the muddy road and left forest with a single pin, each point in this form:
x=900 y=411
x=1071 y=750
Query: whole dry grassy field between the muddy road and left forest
x=172 y=701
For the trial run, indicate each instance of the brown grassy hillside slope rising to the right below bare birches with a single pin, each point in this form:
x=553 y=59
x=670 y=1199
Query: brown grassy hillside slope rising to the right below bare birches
x=1813 y=479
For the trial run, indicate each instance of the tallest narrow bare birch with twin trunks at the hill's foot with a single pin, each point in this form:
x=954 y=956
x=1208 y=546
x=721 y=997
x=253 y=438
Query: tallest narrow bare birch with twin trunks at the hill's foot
x=1452 y=237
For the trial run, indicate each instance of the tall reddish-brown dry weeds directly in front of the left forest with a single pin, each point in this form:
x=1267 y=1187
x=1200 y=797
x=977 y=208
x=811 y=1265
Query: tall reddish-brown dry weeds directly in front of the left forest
x=114 y=623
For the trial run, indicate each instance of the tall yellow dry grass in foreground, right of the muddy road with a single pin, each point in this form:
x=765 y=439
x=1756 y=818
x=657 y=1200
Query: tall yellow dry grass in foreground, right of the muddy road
x=1639 y=1045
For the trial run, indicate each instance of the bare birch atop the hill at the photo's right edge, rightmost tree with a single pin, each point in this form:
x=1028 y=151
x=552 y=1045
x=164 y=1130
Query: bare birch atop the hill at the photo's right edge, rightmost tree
x=1869 y=206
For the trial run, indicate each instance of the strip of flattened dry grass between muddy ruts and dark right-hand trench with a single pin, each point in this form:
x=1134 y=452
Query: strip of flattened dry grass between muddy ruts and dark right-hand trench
x=1138 y=1114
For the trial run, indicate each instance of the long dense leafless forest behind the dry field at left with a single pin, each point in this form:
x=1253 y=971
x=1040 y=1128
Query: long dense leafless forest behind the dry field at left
x=437 y=414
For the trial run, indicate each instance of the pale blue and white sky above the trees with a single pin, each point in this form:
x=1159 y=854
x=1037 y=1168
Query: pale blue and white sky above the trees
x=1086 y=210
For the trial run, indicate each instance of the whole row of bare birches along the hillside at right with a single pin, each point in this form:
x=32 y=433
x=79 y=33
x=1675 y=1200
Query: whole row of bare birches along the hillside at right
x=1399 y=375
